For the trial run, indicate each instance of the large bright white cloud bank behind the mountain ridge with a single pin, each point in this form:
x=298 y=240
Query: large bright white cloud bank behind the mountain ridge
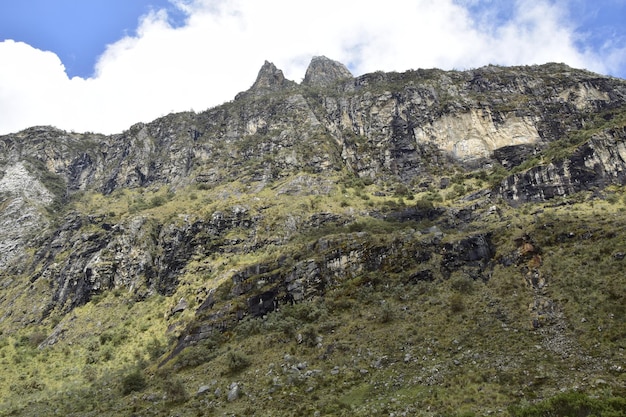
x=219 y=50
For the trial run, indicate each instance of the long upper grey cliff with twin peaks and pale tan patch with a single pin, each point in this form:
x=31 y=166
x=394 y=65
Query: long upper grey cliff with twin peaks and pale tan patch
x=381 y=126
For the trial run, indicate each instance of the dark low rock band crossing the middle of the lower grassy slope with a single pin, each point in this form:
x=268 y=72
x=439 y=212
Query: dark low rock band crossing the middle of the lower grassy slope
x=337 y=260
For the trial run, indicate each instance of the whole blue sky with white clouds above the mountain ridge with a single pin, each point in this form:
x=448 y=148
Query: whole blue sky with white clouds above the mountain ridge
x=104 y=65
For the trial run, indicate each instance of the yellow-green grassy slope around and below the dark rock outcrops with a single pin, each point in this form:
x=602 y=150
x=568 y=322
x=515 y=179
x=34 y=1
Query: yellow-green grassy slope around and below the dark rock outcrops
x=375 y=344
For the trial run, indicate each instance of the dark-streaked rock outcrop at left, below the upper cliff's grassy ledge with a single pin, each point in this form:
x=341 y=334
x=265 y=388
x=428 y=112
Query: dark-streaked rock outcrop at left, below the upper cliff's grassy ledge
x=140 y=255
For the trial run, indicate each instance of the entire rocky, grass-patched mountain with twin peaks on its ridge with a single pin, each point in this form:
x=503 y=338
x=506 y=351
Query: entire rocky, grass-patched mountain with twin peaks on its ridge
x=421 y=243
